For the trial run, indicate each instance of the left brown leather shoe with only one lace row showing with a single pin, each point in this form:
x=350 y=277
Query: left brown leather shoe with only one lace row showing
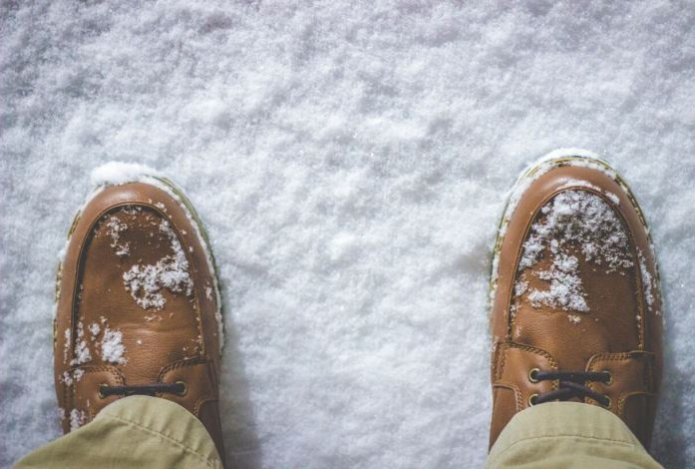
x=138 y=308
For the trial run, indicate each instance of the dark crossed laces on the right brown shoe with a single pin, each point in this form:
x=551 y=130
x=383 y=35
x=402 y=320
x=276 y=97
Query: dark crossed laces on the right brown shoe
x=571 y=385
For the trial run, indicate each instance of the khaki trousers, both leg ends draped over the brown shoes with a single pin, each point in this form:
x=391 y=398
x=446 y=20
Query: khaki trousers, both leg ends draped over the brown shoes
x=149 y=432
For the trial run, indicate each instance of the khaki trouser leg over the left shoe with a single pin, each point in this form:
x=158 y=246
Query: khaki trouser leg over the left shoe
x=136 y=431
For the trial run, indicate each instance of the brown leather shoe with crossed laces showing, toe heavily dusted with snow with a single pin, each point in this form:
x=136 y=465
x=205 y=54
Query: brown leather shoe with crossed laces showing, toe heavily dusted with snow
x=576 y=306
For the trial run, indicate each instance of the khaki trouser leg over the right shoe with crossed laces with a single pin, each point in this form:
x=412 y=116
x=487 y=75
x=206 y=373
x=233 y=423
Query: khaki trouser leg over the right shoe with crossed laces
x=568 y=435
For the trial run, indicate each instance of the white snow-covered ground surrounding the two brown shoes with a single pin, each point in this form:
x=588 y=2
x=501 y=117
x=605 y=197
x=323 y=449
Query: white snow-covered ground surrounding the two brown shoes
x=350 y=160
